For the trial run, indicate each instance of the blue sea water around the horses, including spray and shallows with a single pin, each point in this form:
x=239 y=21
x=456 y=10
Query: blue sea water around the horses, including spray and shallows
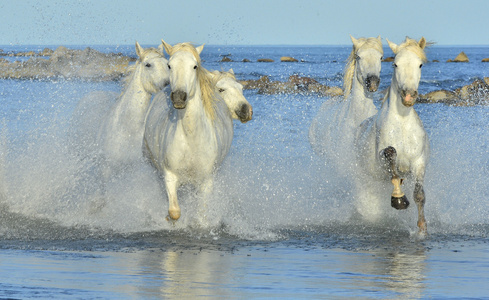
x=282 y=223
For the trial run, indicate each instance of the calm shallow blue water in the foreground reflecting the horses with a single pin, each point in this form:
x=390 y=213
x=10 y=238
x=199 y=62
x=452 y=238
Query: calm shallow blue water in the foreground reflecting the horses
x=301 y=267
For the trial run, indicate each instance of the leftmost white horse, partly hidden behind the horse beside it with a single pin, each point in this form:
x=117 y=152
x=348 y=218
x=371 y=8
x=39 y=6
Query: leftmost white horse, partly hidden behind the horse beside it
x=121 y=134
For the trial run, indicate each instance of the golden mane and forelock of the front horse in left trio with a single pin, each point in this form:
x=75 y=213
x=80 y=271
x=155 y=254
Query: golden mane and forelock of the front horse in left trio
x=206 y=81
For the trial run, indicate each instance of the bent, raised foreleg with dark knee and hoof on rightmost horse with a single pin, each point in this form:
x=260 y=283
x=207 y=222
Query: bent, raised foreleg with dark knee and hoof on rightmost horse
x=398 y=198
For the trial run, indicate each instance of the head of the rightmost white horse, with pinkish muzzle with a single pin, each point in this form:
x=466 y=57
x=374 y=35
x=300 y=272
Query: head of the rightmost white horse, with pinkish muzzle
x=407 y=65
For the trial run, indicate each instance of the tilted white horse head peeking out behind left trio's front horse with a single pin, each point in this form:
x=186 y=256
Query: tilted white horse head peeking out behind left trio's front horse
x=231 y=91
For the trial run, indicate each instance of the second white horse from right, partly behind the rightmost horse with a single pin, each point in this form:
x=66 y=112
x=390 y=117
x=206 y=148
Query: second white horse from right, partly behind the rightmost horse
x=332 y=131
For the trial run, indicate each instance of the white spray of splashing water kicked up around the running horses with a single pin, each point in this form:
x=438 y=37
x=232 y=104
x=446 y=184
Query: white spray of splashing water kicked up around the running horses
x=271 y=185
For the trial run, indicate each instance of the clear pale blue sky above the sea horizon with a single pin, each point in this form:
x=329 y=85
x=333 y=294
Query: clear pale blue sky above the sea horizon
x=245 y=22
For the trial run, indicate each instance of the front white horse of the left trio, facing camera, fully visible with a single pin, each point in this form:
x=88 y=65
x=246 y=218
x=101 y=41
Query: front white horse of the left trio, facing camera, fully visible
x=189 y=138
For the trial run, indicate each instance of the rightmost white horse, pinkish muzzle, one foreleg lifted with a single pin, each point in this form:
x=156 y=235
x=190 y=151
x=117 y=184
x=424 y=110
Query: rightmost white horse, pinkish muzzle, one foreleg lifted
x=393 y=143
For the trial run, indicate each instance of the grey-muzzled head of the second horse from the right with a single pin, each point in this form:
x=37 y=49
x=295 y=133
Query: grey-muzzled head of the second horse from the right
x=367 y=58
